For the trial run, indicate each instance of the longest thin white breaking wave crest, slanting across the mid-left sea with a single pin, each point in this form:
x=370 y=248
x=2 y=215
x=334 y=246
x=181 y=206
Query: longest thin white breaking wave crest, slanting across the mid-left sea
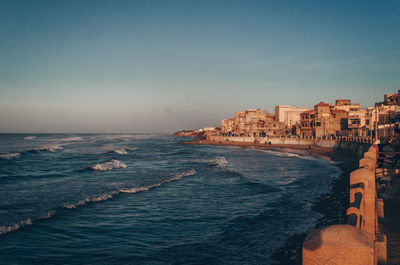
x=110 y=195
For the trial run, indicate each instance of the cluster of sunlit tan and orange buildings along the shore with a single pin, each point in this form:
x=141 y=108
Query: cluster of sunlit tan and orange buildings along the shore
x=343 y=118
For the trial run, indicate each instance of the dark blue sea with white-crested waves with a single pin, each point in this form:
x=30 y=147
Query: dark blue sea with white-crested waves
x=149 y=199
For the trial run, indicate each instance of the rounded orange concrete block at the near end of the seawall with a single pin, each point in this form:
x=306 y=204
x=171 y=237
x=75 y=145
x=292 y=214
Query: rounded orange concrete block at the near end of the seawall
x=338 y=245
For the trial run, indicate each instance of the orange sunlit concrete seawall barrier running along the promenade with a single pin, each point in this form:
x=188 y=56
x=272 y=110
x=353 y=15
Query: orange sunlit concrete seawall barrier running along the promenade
x=360 y=241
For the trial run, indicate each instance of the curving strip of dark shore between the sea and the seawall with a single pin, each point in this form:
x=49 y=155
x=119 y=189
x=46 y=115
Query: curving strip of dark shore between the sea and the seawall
x=333 y=205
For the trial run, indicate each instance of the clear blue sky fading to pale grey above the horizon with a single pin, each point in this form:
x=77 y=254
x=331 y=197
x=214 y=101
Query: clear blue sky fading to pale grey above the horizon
x=160 y=66
